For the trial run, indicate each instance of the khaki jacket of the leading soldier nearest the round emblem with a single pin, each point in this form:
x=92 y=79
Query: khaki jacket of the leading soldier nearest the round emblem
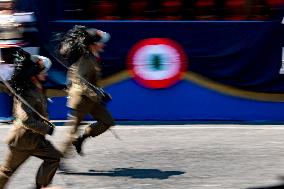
x=86 y=67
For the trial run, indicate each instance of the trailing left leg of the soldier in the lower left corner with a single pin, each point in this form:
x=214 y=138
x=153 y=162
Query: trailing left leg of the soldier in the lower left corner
x=14 y=158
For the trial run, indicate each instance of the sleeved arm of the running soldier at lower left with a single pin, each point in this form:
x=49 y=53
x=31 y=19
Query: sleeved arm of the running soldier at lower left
x=26 y=116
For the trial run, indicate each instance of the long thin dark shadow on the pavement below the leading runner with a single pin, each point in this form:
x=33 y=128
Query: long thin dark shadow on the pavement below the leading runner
x=130 y=172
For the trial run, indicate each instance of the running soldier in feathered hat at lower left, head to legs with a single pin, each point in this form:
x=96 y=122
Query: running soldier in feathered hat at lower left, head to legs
x=27 y=137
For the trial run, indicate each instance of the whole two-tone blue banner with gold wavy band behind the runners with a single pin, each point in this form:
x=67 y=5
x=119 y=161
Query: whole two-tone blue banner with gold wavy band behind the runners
x=232 y=72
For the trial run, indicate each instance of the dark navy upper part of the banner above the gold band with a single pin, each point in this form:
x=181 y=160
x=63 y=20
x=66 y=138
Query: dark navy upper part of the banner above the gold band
x=245 y=55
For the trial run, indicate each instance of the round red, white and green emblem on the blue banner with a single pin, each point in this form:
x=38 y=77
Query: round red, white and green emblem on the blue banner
x=157 y=62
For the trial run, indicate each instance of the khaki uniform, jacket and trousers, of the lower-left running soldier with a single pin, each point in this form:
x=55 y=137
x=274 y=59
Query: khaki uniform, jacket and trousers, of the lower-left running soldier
x=27 y=137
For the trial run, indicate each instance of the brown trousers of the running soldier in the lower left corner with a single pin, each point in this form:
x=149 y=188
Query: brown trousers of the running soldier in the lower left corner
x=16 y=157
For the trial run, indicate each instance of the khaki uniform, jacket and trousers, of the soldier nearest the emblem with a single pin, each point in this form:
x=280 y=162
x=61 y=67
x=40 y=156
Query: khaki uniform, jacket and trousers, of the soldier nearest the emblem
x=83 y=100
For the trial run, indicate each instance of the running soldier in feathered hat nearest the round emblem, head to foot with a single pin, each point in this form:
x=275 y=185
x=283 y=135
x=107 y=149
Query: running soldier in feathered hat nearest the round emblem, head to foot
x=81 y=47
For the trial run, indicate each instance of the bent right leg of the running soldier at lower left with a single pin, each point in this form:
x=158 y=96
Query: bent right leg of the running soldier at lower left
x=51 y=158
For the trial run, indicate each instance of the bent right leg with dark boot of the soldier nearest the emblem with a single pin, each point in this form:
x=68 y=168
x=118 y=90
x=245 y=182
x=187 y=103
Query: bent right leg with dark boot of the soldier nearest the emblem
x=104 y=122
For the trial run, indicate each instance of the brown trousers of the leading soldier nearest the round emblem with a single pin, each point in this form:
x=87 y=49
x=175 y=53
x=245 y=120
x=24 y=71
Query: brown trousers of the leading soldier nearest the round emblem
x=98 y=111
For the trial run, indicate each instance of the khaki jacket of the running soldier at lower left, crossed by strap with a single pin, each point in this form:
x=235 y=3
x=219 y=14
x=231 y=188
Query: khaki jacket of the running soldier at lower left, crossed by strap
x=29 y=129
